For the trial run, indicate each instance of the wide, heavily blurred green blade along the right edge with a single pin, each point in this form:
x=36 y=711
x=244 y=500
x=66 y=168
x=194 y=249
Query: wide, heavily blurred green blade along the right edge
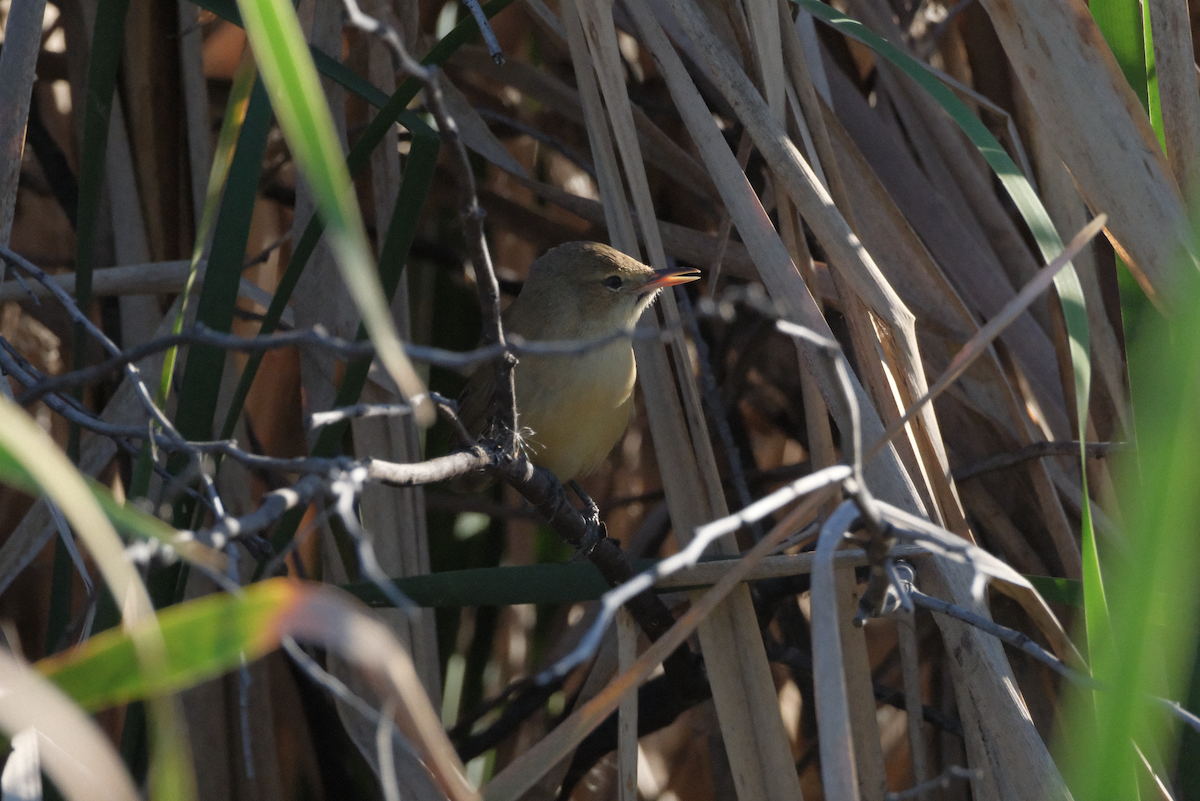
x=1155 y=598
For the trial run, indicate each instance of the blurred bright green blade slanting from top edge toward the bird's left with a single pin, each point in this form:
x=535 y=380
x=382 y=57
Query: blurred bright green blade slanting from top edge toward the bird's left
x=291 y=79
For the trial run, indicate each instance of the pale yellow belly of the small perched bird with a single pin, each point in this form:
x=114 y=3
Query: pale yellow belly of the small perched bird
x=575 y=408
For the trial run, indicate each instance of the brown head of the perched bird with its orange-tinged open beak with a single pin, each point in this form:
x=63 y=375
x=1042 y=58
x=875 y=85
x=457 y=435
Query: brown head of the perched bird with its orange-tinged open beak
x=592 y=290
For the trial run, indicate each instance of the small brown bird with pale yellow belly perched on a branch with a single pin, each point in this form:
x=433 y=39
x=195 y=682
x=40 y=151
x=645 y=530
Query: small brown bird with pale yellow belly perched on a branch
x=573 y=408
